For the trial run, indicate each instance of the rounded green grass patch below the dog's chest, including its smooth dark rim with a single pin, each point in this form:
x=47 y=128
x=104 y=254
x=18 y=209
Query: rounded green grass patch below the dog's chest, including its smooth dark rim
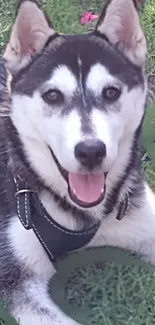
x=106 y=286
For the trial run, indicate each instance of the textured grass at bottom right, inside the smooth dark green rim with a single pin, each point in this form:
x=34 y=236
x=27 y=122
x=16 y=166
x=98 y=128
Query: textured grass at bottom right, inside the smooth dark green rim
x=115 y=294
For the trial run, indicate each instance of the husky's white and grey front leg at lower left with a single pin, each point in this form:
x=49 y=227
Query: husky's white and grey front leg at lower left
x=29 y=273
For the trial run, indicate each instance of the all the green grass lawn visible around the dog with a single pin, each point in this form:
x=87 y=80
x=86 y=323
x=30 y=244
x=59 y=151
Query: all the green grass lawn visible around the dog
x=120 y=302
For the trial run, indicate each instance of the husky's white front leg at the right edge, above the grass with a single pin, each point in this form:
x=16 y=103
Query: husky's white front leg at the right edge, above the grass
x=135 y=232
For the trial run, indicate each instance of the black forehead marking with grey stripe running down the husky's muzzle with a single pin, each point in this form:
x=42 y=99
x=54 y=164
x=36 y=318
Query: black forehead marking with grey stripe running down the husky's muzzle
x=67 y=51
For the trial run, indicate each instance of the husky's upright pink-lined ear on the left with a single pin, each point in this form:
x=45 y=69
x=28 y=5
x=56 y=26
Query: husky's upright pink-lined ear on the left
x=29 y=35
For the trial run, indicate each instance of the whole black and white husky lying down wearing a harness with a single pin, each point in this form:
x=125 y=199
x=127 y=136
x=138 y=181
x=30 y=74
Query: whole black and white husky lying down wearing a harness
x=70 y=167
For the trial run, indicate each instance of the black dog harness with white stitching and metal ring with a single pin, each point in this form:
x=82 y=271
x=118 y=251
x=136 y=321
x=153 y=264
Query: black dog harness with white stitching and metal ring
x=56 y=239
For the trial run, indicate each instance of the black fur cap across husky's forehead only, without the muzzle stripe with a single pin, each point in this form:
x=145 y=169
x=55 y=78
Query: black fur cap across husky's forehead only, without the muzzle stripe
x=32 y=78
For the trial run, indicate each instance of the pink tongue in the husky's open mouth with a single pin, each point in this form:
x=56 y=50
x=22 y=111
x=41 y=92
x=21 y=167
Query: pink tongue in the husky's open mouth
x=87 y=188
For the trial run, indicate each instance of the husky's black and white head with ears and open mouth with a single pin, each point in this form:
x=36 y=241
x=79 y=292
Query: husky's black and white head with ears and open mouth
x=78 y=100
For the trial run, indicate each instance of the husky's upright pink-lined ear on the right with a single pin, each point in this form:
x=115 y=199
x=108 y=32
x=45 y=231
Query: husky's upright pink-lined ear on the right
x=120 y=23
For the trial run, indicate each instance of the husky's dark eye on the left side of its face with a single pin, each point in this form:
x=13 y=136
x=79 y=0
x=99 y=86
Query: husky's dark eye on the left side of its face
x=53 y=96
